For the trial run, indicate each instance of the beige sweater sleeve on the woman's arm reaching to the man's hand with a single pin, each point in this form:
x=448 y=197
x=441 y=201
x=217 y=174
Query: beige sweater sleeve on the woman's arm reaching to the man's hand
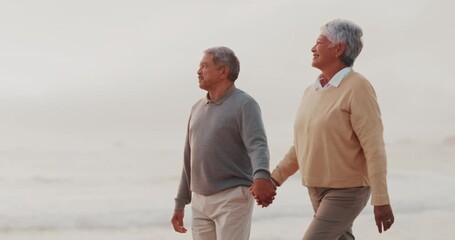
x=286 y=168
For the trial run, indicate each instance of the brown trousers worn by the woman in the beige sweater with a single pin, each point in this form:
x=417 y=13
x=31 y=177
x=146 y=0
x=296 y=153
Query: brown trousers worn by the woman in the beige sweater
x=335 y=211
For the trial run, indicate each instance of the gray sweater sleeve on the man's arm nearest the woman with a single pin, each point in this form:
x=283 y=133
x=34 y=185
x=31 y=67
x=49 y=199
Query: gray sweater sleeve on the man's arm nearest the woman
x=254 y=137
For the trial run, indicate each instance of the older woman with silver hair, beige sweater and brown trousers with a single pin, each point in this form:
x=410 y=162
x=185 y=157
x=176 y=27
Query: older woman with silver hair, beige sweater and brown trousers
x=338 y=140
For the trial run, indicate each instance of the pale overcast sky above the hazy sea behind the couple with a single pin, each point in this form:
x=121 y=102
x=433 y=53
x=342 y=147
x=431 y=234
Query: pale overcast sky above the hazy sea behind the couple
x=124 y=72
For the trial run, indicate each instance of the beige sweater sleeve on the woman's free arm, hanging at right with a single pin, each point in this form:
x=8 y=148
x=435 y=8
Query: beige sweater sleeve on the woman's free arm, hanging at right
x=367 y=124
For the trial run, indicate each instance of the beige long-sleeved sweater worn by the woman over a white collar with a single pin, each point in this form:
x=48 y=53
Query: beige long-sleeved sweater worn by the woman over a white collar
x=338 y=140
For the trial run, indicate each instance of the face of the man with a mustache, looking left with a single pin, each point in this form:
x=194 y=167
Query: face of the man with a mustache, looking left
x=209 y=73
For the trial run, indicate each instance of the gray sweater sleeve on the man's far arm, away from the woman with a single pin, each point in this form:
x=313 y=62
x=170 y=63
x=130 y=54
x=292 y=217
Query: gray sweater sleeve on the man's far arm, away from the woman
x=184 y=190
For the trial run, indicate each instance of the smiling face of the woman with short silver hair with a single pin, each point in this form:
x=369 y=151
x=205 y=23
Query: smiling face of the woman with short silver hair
x=323 y=53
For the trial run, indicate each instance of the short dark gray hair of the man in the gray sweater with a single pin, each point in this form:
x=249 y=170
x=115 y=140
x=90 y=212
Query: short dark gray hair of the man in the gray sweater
x=225 y=57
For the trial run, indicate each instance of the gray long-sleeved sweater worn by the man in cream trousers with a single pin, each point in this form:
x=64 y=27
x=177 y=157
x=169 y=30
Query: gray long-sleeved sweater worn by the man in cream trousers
x=226 y=146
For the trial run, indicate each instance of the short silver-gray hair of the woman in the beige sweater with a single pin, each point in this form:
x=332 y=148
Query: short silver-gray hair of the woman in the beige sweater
x=345 y=32
